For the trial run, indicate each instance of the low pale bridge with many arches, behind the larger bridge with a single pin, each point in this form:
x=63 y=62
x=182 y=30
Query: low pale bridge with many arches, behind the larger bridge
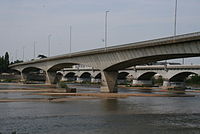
x=173 y=75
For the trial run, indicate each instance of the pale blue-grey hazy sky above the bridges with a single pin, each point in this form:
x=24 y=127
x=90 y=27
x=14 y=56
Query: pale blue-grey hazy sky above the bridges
x=23 y=22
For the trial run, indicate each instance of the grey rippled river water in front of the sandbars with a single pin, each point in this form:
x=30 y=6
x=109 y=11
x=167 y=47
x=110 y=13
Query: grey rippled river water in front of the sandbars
x=132 y=115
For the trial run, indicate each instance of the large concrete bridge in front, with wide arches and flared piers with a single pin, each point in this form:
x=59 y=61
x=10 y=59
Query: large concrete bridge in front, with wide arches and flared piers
x=111 y=59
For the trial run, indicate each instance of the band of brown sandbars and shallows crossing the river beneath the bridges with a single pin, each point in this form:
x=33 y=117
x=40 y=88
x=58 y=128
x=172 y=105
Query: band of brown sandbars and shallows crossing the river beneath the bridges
x=48 y=93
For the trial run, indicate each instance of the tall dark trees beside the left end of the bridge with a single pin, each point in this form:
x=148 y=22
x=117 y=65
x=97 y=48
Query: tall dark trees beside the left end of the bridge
x=4 y=63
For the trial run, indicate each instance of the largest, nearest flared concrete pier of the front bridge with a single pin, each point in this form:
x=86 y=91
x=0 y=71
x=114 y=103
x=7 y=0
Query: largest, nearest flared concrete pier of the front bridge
x=108 y=81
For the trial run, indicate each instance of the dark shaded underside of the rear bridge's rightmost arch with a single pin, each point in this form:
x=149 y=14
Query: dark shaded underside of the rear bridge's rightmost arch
x=180 y=77
